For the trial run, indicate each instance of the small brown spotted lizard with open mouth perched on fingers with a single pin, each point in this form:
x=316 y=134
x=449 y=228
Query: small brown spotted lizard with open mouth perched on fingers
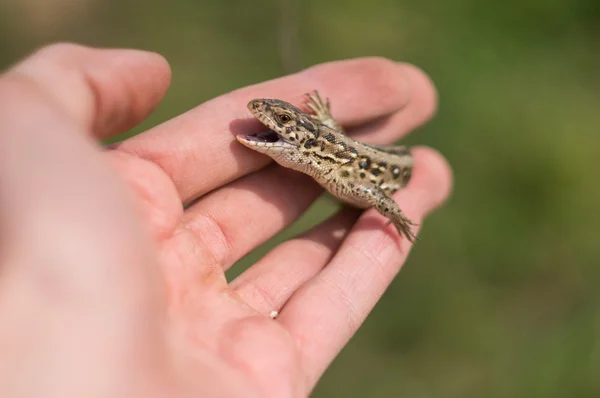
x=314 y=143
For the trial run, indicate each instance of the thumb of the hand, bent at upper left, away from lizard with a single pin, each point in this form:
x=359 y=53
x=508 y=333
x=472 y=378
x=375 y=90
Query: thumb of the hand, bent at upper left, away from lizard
x=106 y=91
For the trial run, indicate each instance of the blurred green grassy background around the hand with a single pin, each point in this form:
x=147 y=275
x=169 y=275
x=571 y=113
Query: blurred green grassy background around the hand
x=500 y=298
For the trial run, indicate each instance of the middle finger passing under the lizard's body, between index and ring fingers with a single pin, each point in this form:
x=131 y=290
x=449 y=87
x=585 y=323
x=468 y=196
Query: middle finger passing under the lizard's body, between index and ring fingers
x=252 y=198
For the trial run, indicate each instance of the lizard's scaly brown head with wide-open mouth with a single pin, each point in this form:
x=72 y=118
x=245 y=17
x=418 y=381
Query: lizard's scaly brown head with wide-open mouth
x=289 y=128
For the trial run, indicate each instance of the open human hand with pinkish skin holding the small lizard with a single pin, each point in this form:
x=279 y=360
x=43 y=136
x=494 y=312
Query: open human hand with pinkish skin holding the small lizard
x=109 y=288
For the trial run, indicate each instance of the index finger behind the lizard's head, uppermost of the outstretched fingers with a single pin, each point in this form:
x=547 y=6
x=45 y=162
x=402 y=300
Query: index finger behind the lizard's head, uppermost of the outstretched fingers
x=198 y=149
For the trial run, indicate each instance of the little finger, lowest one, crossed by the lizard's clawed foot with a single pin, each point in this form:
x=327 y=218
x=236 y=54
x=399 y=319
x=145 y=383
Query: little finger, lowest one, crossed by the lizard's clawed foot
x=325 y=312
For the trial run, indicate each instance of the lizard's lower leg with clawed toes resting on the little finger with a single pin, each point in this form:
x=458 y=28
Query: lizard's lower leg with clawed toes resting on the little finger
x=370 y=195
